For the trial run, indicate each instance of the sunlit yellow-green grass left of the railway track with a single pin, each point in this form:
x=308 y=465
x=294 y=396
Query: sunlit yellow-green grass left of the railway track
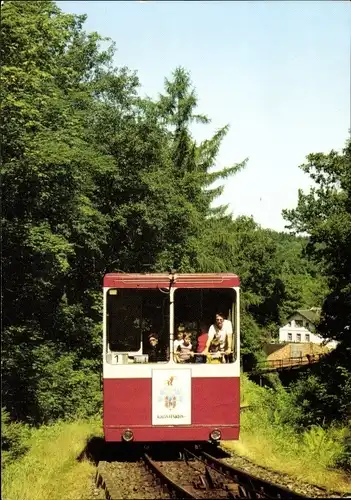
x=50 y=470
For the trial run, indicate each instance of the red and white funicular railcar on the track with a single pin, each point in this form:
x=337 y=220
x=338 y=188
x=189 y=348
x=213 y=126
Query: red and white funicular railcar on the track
x=165 y=400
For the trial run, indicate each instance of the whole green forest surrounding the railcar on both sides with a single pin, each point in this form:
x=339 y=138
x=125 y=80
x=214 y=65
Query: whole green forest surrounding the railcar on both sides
x=97 y=178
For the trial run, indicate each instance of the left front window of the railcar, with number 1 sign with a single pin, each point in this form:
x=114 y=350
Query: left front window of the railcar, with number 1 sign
x=137 y=326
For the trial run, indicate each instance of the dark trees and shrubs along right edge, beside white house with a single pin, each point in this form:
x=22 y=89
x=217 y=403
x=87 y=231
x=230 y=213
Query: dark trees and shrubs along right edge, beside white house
x=325 y=214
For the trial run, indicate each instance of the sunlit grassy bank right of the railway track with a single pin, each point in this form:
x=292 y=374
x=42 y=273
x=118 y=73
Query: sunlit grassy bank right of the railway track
x=308 y=457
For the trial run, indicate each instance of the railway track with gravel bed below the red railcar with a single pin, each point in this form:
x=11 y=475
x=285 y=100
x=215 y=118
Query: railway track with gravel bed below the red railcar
x=194 y=474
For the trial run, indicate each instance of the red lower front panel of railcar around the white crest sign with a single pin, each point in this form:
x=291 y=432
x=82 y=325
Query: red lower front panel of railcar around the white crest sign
x=215 y=404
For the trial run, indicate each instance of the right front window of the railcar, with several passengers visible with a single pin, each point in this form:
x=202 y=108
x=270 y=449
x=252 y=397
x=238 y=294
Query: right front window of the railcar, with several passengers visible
x=205 y=326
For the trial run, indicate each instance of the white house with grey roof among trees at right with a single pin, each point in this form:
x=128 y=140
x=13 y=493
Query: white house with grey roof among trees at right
x=301 y=328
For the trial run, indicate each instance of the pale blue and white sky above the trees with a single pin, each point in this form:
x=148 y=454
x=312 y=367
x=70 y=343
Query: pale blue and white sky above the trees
x=277 y=72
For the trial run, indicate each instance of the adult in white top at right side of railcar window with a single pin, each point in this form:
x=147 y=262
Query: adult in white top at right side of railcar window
x=219 y=341
